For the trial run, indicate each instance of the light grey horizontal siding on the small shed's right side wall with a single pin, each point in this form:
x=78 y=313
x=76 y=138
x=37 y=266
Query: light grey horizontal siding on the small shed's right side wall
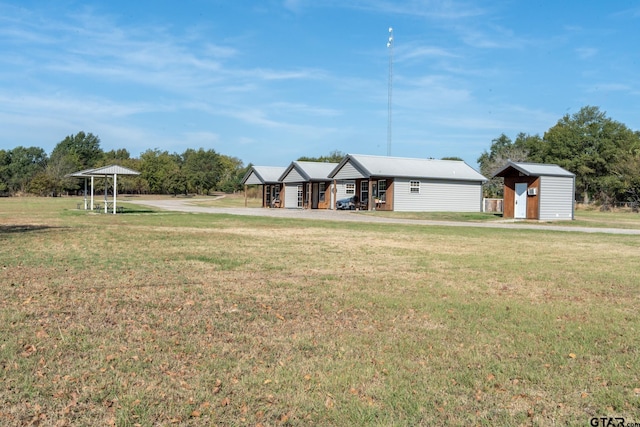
x=556 y=198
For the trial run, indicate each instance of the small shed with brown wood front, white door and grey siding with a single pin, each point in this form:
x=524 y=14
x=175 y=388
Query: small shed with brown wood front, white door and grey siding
x=537 y=191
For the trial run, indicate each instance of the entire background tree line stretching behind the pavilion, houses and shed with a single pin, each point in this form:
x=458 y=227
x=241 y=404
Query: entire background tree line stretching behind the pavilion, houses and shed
x=603 y=154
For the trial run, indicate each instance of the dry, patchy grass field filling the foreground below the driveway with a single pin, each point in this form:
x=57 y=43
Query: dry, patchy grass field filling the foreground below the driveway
x=158 y=318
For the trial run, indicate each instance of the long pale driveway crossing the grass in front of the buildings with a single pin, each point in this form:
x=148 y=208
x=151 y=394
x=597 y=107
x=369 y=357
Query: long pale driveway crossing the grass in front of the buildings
x=183 y=205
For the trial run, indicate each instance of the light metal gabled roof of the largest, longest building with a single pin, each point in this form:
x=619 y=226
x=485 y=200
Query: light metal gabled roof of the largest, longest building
x=379 y=166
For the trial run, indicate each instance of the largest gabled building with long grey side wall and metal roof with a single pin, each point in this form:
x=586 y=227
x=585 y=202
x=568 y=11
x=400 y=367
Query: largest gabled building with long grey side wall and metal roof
x=411 y=185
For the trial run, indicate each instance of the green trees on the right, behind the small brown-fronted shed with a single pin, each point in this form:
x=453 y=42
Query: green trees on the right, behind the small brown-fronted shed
x=603 y=154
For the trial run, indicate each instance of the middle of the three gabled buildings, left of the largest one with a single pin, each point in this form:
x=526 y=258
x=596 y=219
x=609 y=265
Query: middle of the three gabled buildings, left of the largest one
x=307 y=185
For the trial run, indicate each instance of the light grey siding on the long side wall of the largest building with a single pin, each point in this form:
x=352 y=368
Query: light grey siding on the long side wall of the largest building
x=437 y=196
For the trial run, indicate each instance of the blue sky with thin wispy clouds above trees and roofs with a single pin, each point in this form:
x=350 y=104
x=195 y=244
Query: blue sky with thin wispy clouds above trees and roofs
x=270 y=81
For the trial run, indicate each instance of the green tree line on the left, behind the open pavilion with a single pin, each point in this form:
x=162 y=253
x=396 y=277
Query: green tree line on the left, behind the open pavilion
x=28 y=170
